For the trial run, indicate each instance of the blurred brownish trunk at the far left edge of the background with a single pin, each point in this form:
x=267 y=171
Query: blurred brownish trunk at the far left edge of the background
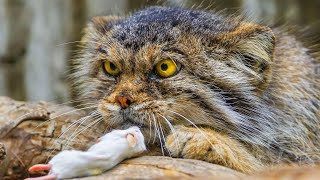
x=13 y=42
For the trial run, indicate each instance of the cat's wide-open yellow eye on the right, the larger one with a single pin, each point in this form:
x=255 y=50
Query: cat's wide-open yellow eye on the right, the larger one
x=166 y=68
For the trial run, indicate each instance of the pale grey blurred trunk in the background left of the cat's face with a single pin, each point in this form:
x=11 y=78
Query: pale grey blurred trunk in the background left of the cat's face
x=46 y=54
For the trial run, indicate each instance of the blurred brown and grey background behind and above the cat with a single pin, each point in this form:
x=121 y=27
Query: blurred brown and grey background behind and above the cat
x=36 y=36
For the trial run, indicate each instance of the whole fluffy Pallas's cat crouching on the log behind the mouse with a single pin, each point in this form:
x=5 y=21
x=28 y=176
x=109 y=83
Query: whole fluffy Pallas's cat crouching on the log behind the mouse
x=203 y=86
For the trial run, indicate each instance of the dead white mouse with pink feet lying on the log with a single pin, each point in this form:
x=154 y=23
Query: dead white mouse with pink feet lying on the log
x=110 y=150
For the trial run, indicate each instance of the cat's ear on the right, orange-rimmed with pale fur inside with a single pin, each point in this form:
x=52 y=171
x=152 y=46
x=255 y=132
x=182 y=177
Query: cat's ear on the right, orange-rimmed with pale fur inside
x=253 y=47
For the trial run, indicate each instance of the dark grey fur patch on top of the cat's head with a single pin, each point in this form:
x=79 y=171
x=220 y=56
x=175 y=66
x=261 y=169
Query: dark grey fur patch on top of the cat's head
x=158 y=24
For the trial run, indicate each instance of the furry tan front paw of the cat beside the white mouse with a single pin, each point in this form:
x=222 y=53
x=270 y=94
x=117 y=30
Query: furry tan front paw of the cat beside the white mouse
x=207 y=145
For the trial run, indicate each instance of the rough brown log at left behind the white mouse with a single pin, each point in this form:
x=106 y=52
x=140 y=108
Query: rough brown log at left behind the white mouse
x=30 y=133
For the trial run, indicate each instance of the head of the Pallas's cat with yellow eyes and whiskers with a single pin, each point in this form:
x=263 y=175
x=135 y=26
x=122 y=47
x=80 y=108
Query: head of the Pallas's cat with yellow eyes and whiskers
x=164 y=66
